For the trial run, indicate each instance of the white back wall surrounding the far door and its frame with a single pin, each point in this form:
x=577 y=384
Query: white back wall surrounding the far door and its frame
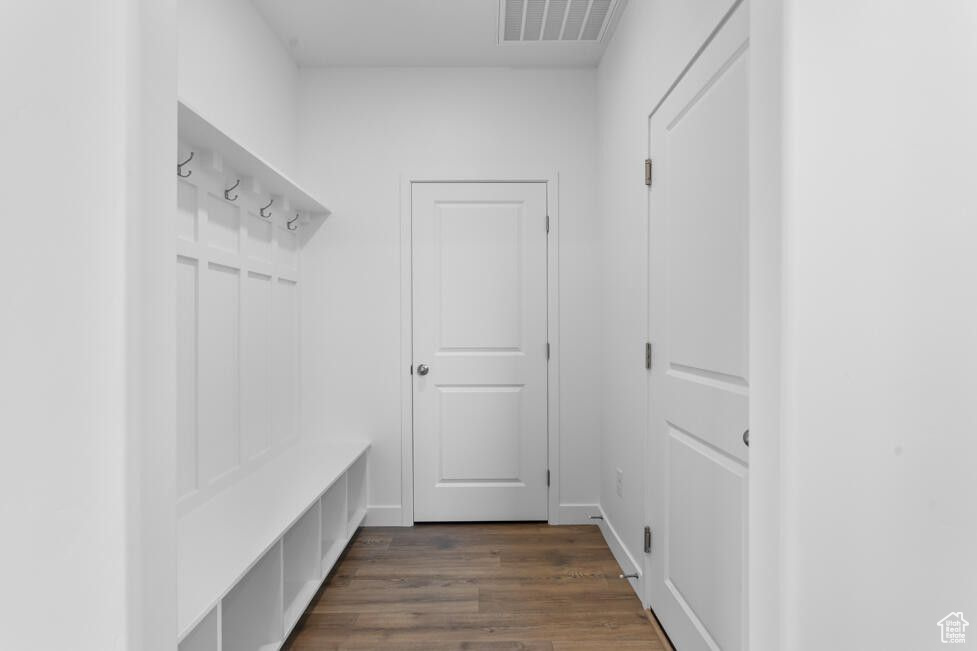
x=361 y=129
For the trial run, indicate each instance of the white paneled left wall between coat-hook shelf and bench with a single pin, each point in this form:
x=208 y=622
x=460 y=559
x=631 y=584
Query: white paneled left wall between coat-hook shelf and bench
x=237 y=314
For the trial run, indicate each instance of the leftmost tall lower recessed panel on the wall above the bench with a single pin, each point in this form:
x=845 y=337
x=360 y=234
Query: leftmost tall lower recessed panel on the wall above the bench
x=186 y=374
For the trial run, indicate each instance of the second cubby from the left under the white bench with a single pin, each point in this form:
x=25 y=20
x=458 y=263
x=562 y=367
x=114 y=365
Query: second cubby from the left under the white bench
x=251 y=611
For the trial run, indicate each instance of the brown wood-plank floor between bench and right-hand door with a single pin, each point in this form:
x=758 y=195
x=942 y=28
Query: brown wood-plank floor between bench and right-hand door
x=476 y=586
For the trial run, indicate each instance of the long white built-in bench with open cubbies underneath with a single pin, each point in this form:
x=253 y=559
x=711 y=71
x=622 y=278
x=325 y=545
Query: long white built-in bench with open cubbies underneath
x=250 y=559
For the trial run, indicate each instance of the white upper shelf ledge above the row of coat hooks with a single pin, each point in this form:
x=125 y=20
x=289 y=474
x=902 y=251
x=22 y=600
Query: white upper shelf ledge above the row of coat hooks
x=211 y=146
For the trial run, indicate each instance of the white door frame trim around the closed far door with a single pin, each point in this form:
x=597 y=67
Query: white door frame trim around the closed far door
x=551 y=179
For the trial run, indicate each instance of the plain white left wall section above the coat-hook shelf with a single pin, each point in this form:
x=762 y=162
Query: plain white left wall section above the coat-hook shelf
x=237 y=73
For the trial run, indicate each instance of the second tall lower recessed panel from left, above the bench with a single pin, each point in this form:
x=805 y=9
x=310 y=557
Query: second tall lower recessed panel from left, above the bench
x=219 y=372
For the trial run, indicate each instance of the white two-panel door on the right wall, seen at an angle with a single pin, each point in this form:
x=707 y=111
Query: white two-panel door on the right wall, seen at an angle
x=698 y=211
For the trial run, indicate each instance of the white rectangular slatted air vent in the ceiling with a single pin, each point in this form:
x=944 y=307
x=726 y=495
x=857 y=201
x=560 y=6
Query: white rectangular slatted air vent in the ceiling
x=523 y=21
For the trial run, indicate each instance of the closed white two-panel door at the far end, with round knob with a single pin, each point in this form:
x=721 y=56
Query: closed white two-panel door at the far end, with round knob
x=479 y=307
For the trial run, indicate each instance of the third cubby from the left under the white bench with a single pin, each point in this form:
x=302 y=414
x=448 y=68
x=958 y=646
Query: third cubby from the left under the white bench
x=302 y=560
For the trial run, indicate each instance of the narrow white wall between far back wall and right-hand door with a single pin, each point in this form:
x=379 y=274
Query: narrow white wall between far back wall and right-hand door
x=653 y=42
